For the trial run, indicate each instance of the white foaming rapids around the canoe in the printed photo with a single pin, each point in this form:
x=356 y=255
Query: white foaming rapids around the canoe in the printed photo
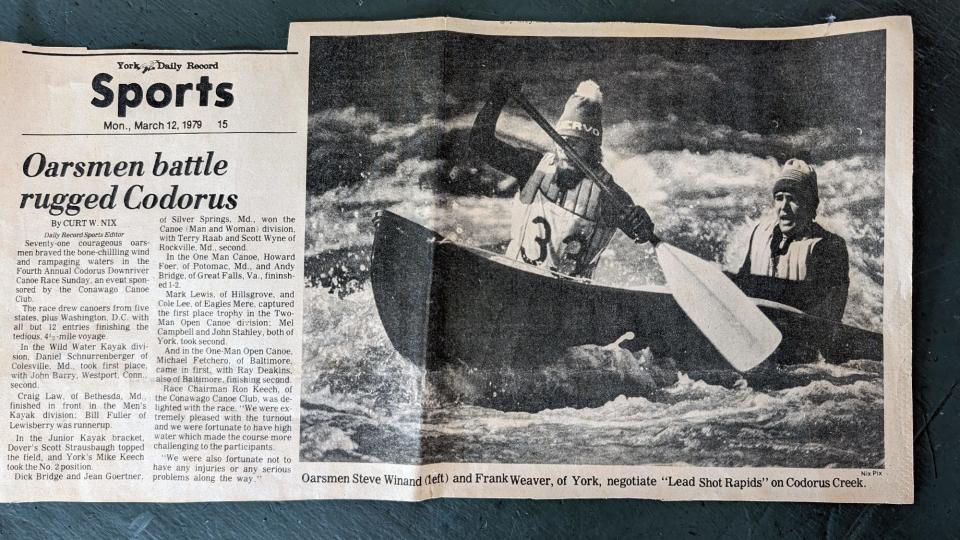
x=362 y=401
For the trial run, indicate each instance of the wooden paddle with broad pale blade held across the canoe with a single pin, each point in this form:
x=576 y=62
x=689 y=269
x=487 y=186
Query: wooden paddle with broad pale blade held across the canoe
x=727 y=317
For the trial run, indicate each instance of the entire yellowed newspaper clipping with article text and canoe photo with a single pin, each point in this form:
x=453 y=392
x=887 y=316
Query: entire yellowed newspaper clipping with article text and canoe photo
x=452 y=258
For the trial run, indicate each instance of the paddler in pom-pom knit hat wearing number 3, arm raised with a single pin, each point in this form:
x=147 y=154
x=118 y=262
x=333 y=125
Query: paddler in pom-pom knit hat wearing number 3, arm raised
x=561 y=220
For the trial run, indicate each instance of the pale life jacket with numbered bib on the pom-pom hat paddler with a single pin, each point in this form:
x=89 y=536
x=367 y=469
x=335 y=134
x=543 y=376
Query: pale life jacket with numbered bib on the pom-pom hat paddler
x=559 y=229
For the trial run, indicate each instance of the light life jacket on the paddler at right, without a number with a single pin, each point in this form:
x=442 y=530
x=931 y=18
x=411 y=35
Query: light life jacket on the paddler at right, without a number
x=789 y=264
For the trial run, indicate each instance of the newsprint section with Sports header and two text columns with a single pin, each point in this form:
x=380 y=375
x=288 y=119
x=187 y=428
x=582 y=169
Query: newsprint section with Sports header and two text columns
x=153 y=211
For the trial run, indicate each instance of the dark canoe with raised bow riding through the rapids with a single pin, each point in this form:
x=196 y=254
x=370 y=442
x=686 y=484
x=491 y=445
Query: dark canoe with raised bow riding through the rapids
x=443 y=303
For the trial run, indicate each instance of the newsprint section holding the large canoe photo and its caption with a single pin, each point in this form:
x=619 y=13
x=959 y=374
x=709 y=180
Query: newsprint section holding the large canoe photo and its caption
x=601 y=260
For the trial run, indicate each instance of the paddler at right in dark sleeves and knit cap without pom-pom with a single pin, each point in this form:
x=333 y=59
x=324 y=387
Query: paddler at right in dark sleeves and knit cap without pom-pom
x=792 y=259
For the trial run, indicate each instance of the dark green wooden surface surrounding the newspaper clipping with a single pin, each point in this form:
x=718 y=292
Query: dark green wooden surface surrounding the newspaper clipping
x=249 y=24
